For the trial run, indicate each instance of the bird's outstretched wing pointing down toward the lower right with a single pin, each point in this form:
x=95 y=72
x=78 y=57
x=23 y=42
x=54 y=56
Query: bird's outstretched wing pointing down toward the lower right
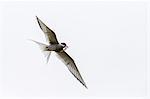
x=69 y=62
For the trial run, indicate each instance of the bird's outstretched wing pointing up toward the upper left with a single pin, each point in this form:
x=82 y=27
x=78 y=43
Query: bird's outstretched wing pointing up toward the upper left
x=49 y=34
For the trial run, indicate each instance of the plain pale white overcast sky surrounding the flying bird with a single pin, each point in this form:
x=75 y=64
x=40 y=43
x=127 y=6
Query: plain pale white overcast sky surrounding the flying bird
x=106 y=39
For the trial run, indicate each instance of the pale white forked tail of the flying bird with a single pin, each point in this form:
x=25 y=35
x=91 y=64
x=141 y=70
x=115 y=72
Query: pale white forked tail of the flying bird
x=44 y=50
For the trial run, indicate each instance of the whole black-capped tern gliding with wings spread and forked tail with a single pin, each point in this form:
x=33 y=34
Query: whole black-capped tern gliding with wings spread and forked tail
x=59 y=49
